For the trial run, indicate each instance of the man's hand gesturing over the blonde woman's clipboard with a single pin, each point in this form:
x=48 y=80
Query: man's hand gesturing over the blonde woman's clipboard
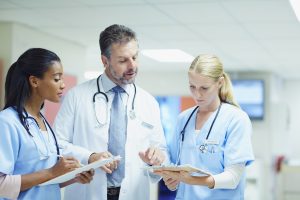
x=152 y=156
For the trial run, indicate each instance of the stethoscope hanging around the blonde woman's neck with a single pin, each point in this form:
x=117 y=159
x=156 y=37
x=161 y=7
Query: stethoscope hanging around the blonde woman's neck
x=202 y=147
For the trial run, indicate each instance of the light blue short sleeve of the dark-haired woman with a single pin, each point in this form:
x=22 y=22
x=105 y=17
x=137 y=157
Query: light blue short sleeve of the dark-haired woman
x=9 y=146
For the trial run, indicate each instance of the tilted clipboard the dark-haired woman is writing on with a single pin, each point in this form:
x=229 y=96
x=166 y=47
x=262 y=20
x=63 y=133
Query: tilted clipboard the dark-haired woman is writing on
x=70 y=175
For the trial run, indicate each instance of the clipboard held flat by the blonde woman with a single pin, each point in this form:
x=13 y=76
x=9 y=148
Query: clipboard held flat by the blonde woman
x=186 y=167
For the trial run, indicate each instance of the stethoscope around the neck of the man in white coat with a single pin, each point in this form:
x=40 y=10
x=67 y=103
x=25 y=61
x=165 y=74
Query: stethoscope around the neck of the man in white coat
x=102 y=120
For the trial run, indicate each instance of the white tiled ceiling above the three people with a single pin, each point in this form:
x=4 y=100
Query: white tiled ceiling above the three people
x=247 y=35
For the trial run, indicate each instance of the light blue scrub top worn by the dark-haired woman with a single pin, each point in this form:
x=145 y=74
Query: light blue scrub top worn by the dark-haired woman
x=21 y=153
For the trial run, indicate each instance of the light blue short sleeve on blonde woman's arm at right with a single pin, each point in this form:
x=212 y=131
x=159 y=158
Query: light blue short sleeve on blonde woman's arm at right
x=238 y=146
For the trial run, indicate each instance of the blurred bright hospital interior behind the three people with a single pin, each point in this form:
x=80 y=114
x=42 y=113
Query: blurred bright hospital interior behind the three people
x=257 y=40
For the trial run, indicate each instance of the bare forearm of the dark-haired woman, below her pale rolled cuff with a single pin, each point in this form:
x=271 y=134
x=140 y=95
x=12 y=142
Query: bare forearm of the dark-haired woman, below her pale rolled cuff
x=36 y=178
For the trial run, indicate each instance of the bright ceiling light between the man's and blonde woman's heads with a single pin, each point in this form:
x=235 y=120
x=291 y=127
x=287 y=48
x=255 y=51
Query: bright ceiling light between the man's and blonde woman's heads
x=168 y=55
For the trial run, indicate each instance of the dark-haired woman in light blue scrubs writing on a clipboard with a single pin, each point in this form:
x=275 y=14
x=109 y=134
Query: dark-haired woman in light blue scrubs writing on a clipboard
x=29 y=151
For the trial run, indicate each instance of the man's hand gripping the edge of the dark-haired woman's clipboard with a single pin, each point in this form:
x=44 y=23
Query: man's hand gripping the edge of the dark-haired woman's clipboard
x=109 y=167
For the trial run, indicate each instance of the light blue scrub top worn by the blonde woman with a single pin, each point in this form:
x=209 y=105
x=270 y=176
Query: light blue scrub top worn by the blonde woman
x=230 y=144
